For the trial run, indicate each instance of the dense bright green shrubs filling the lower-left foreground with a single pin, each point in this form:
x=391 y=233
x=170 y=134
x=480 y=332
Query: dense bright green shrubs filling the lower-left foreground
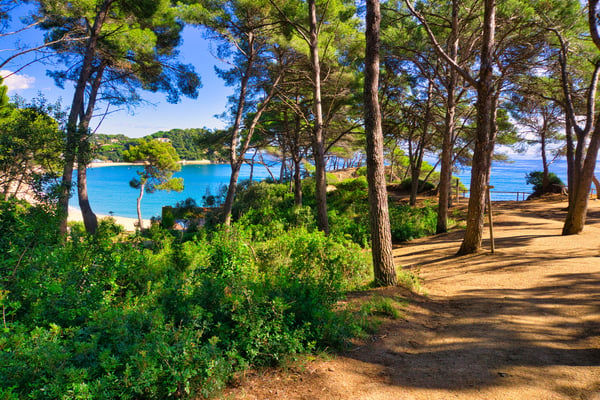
x=111 y=316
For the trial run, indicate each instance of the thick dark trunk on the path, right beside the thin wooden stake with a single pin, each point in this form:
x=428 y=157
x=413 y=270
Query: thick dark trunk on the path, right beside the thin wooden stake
x=485 y=136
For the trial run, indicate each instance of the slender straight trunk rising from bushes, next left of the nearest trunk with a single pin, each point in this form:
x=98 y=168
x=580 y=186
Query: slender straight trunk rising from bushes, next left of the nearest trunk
x=318 y=139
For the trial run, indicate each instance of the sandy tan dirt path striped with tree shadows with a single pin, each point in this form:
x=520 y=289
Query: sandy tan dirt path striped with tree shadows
x=523 y=323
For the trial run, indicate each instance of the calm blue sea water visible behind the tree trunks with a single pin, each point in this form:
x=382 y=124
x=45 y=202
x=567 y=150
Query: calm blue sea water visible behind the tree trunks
x=109 y=189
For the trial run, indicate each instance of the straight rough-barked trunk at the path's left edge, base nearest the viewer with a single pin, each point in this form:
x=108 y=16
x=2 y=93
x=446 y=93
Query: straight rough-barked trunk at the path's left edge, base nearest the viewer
x=381 y=238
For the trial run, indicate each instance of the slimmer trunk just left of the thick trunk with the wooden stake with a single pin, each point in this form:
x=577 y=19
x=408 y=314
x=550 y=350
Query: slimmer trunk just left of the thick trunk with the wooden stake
x=445 y=187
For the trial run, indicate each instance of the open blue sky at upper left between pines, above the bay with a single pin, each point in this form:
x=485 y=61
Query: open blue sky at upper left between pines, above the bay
x=146 y=118
